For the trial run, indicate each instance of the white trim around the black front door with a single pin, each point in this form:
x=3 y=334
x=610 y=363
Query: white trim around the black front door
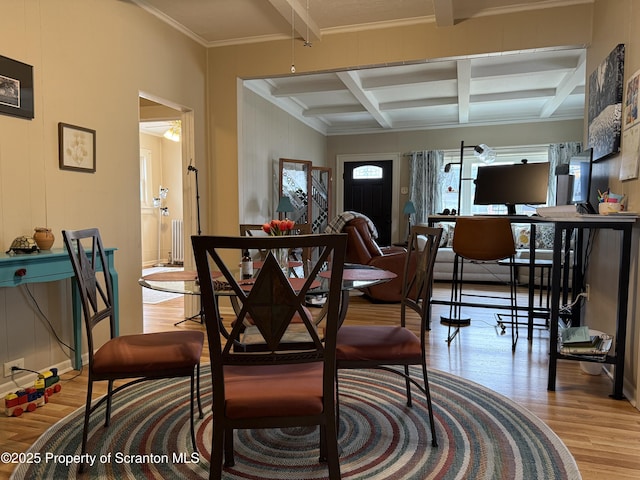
x=372 y=157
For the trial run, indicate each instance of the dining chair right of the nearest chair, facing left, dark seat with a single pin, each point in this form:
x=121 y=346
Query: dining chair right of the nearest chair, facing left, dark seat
x=394 y=348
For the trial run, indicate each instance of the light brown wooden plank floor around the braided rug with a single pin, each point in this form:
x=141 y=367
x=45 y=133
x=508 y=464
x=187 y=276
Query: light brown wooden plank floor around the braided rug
x=603 y=434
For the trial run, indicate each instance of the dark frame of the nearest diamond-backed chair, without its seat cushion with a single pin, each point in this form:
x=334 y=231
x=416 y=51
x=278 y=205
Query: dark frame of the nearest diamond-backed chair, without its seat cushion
x=272 y=304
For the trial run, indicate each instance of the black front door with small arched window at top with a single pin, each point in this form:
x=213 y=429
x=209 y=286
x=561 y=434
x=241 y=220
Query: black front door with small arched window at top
x=368 y=190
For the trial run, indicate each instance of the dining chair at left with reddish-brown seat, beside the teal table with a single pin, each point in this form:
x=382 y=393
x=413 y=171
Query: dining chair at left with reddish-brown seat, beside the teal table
x=135 y=358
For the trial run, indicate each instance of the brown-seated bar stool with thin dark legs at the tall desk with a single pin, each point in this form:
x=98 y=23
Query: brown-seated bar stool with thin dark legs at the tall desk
x=481 y=240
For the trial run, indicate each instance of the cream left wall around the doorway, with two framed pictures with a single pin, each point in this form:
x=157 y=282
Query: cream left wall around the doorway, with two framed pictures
x=91 y=59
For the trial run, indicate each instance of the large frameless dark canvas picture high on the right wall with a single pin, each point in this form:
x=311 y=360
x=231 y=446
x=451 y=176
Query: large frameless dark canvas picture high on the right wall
x=606 y=86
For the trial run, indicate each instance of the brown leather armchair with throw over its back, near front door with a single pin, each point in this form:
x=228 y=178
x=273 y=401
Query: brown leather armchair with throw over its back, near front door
x=362 y=249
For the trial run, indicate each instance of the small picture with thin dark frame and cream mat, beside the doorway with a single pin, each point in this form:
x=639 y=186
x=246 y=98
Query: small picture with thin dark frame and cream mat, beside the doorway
x=77 y=148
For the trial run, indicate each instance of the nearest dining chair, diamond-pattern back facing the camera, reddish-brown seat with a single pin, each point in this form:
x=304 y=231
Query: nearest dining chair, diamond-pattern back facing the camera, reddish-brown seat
x=283 y=385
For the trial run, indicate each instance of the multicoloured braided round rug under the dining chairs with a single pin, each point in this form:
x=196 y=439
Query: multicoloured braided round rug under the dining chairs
x=481 y=435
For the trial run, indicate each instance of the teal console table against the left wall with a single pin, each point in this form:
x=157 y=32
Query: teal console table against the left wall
x=51 y=266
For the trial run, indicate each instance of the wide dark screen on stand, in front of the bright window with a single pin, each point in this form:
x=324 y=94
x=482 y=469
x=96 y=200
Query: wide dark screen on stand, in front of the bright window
x=512 y=184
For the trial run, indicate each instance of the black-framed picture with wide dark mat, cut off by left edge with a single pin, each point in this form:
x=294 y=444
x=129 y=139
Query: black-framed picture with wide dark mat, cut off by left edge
x=16 y=88
